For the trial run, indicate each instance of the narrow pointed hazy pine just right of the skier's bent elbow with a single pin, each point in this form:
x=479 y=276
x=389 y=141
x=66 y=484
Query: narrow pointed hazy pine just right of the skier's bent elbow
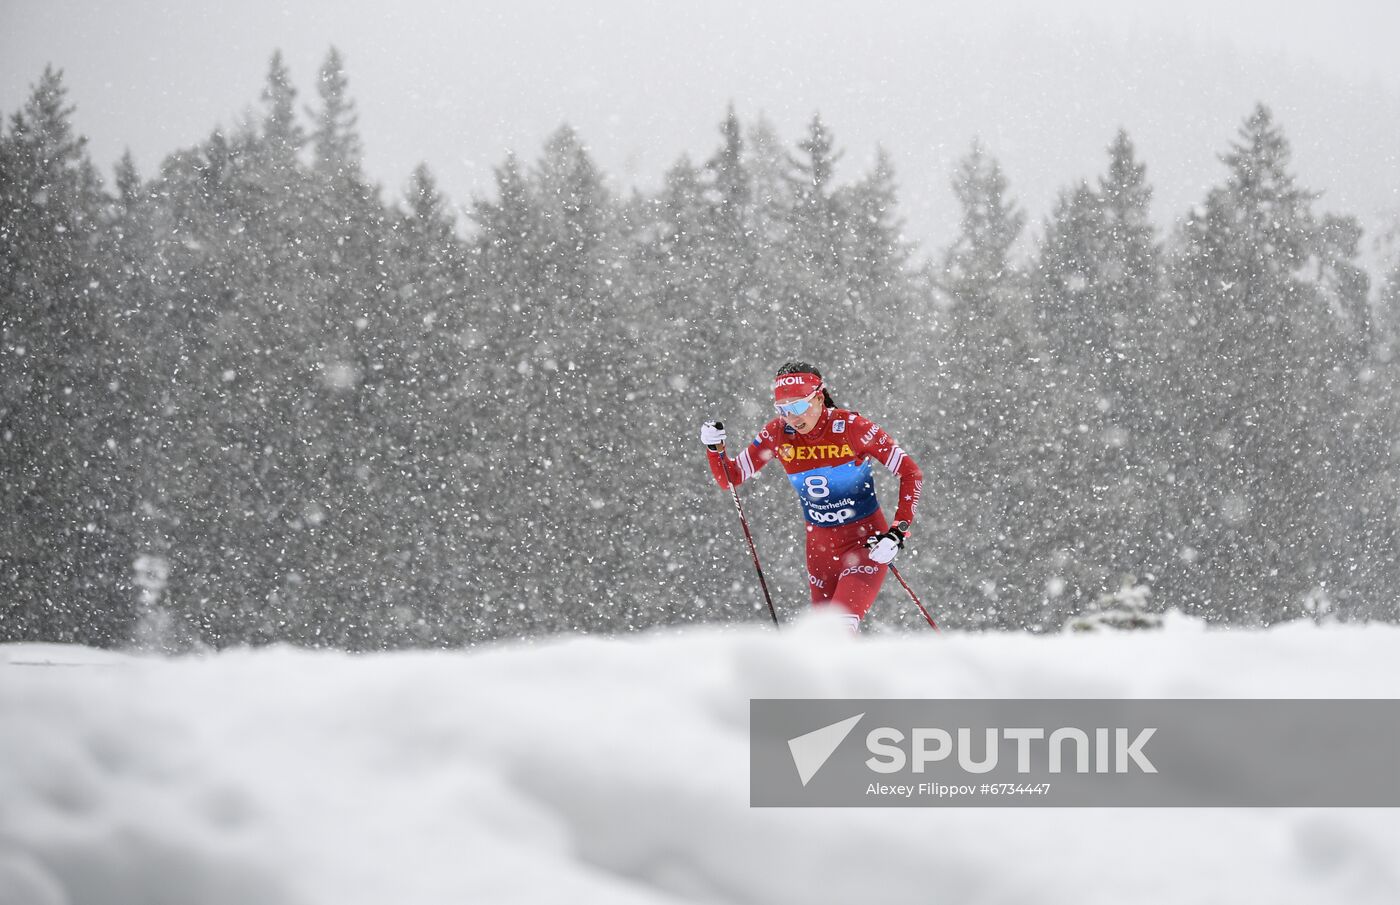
x=988 y=396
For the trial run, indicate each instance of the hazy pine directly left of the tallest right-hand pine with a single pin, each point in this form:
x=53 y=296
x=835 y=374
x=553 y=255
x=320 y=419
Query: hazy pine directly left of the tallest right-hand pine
x=1098 y=291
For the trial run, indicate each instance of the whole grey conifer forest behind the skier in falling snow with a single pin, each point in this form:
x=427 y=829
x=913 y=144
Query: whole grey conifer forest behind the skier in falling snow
x=248 y=396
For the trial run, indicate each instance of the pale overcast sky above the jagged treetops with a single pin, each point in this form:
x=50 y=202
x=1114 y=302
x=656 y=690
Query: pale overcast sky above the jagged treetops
x=457 y=85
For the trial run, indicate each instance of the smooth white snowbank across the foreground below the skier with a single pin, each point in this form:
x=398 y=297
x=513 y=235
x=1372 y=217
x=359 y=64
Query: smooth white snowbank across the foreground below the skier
x=617 y=771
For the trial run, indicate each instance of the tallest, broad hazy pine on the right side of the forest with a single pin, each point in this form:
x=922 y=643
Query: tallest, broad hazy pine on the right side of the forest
x=1265 y=372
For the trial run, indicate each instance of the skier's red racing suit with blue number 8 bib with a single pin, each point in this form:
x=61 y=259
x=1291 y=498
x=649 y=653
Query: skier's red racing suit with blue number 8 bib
x=831 y=470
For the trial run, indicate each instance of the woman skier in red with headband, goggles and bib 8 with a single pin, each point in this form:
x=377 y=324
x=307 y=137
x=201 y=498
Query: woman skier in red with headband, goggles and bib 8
x=827 y=453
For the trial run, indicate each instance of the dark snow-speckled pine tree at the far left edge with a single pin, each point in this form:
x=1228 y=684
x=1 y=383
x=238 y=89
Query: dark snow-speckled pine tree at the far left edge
x=65 y=555
